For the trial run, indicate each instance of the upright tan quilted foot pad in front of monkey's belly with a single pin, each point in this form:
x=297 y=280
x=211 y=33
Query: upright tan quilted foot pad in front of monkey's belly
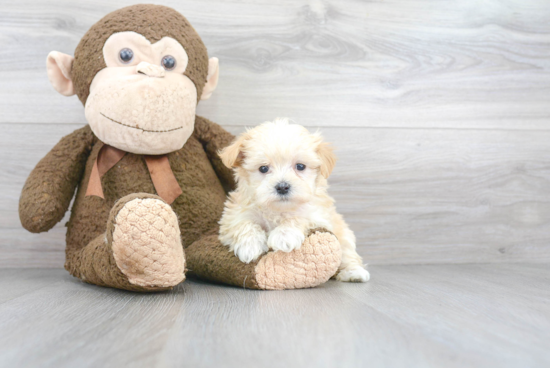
x=147 y=244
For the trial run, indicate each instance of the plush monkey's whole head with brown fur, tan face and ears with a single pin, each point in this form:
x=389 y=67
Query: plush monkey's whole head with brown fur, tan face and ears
x=140 y=72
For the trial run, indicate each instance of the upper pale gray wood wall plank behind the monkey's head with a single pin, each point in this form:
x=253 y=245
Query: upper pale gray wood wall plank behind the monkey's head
x=393 y=63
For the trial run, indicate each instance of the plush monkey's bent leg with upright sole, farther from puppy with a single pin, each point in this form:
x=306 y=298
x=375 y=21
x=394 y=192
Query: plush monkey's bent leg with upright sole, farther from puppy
x=140 y=251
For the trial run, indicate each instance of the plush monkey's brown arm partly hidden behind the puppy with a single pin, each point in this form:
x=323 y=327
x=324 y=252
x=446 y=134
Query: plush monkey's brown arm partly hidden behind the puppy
x=213 y=138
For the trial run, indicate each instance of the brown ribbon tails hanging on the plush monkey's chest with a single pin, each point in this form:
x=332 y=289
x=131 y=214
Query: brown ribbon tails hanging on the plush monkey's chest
x=161 y=173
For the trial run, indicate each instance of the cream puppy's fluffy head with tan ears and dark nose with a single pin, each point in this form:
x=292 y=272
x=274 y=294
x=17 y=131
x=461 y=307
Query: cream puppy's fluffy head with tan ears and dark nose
x=279 y=164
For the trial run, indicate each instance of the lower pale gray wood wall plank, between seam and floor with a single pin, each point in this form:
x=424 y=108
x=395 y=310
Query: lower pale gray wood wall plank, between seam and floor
x=410 y=195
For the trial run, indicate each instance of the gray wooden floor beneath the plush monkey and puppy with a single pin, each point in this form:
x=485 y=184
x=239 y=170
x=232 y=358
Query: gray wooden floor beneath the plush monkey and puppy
x=407 y=316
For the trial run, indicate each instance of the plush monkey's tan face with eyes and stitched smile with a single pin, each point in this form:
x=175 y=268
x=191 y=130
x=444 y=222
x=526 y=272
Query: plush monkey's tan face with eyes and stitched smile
x=141 y=102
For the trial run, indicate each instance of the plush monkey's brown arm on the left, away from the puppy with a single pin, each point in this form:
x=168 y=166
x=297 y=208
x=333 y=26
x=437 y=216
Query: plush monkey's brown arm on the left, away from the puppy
x=50 y=186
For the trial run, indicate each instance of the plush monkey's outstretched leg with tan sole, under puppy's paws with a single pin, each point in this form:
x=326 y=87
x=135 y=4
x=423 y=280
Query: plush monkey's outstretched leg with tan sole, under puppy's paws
x=311 y=265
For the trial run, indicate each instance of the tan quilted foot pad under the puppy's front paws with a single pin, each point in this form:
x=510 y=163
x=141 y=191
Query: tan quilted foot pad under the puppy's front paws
x=313 y=264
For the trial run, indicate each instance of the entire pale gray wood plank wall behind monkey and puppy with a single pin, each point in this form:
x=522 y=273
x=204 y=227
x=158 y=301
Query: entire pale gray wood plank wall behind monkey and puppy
x=439 y=109
